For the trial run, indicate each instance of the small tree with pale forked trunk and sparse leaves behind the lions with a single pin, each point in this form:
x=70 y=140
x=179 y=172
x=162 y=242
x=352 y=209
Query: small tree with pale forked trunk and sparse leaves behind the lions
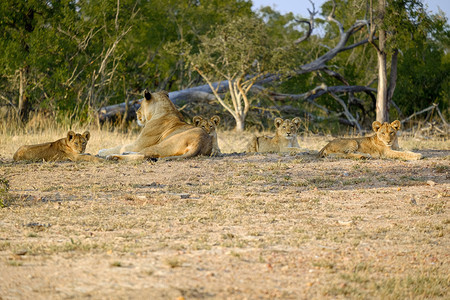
x=240 y=52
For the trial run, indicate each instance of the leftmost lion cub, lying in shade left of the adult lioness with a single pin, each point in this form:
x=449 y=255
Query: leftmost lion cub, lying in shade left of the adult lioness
x=69 y=148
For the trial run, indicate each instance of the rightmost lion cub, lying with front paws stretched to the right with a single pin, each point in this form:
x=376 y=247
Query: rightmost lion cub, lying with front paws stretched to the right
x=384 y=143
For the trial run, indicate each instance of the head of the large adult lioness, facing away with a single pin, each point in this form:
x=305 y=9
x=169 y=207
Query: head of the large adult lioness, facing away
x=156 y=105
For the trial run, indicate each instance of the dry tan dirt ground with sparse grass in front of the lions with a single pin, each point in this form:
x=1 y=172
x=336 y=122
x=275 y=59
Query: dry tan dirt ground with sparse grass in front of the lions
x=241 y=226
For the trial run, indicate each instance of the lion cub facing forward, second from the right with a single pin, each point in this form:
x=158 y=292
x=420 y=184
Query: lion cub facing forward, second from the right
x=285 y=138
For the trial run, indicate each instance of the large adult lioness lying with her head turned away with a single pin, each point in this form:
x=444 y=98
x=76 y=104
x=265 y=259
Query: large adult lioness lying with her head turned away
x=165 y=134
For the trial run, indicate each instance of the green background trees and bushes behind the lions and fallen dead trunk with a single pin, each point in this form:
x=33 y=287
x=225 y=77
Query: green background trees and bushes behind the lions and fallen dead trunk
x=70 y=58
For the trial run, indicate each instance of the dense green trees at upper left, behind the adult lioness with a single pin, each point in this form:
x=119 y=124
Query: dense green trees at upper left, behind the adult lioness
x=79 y=55
